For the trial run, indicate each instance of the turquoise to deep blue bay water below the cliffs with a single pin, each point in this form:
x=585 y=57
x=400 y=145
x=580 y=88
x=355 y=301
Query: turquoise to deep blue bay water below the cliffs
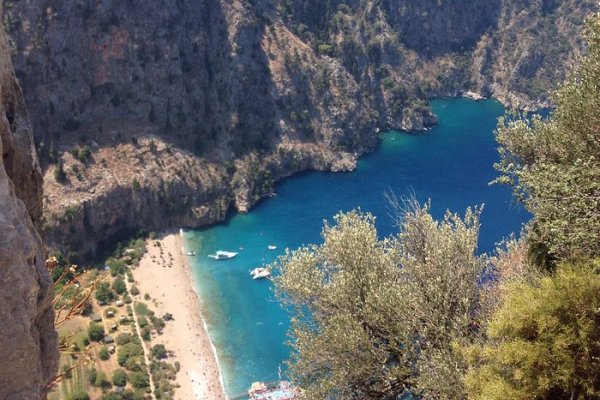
x=451 y=165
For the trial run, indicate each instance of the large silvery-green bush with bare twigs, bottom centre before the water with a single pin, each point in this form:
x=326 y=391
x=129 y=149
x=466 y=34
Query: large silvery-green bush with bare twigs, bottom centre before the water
x=377 y=318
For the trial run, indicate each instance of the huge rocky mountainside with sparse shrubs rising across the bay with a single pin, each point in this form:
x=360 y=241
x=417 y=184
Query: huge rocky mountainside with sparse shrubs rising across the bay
x=236 y=94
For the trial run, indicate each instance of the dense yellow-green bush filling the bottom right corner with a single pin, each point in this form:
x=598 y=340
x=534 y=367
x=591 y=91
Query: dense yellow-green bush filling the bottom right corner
x=543 y=342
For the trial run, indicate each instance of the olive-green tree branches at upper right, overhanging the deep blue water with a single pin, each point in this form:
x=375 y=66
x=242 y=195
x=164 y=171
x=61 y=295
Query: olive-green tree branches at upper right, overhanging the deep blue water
x=554 y=165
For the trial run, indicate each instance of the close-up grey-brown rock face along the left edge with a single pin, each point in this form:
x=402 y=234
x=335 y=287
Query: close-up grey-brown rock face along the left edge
x=28 y=341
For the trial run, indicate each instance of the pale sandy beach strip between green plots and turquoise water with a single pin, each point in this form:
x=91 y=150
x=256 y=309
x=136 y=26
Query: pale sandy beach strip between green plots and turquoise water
x=164 y=274
